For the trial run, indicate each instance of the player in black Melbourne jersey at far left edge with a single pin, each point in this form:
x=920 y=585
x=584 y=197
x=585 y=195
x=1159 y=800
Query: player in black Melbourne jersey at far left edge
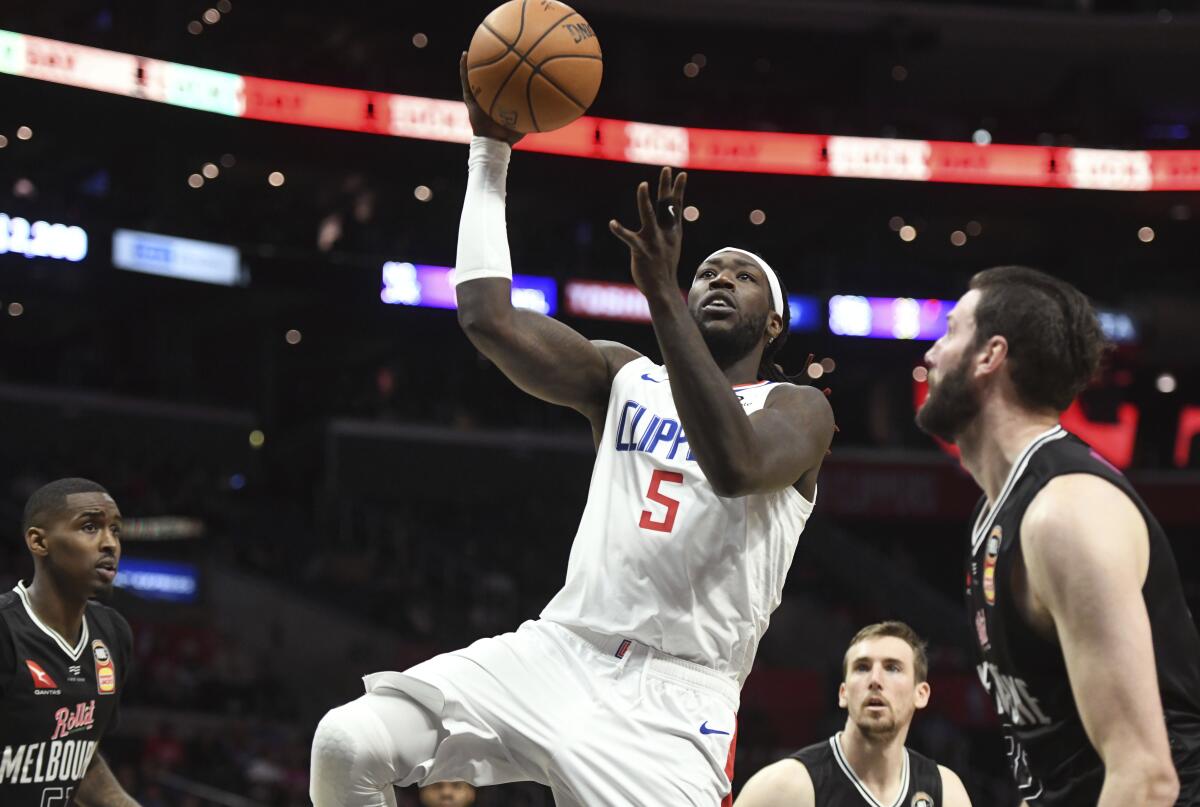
x=63 y=657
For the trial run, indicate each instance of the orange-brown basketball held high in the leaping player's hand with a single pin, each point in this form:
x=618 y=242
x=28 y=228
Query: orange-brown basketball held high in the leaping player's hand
x=535 y=65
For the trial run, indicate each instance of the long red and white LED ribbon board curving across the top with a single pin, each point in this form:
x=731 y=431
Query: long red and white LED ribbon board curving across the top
x=601 y=139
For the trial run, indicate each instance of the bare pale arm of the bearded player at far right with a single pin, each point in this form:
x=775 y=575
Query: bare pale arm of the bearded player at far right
x=1087 y=553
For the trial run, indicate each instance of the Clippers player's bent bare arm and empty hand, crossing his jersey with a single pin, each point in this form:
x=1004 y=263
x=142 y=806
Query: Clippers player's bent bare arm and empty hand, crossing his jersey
x=739 y=455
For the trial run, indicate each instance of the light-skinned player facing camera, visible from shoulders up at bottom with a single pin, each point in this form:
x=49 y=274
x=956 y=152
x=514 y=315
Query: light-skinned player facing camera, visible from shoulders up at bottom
x=867 y=764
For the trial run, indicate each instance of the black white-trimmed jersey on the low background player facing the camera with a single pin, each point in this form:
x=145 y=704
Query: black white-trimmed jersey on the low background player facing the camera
x=836 y=785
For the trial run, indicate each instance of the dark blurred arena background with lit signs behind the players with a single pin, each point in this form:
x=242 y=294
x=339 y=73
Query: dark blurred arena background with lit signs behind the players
x=319 y=485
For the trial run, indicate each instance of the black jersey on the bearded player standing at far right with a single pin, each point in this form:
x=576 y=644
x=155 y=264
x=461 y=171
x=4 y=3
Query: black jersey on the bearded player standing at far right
x=1049 y=754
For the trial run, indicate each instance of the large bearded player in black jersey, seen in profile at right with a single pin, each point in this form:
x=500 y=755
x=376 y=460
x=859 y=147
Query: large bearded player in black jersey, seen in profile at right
x=1085 y=639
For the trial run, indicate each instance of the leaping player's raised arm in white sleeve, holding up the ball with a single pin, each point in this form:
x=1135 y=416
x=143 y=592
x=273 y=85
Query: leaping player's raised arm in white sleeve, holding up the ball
x=539 y=355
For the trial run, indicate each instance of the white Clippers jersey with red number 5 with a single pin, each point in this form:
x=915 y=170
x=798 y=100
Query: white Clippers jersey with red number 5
x=663 y=560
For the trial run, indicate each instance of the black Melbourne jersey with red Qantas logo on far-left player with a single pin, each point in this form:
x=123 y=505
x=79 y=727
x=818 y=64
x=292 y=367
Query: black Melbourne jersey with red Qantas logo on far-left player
x=57 y=700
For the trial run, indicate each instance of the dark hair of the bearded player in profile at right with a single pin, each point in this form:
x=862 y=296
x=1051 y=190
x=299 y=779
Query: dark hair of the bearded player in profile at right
x=1055 y=343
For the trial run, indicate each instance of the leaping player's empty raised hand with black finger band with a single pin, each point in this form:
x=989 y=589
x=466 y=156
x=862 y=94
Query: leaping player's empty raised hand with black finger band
x=655 y=249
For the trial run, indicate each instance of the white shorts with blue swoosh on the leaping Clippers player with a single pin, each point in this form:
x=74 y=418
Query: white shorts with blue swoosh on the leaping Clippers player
x=603 y=721
